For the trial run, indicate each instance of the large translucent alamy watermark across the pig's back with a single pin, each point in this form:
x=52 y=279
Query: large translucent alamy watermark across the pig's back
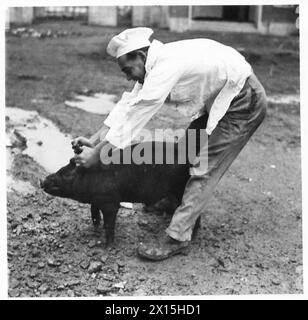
x=164 y=146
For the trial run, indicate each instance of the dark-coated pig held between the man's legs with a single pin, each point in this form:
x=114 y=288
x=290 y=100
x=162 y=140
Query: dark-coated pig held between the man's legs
x=105 y=186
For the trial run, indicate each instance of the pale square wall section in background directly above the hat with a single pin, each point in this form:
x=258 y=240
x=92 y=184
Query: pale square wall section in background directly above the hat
x=103 y=15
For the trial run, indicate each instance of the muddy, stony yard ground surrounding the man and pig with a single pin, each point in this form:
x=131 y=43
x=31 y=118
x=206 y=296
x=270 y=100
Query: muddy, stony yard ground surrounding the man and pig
x=250 y=241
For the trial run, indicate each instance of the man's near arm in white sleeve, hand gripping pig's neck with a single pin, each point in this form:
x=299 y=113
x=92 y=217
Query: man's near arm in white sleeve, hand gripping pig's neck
x=129 y=118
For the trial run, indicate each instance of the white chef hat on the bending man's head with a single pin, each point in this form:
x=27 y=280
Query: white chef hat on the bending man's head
x=129 y=40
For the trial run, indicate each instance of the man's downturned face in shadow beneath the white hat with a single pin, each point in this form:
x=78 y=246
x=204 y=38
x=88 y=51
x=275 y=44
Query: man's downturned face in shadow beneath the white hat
x=134 y=68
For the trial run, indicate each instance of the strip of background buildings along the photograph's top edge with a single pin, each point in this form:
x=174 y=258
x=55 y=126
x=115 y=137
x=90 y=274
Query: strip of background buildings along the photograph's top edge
x=269 y=19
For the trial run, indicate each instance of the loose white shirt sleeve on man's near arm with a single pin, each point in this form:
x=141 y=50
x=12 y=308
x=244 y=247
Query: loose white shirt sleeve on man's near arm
x=141 y=108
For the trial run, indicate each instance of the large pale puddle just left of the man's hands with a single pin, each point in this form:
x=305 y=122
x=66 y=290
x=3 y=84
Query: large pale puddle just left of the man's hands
x=45 y=143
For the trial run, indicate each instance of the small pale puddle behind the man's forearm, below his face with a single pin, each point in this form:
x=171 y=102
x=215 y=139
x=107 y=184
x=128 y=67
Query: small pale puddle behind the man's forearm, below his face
x=100 y=103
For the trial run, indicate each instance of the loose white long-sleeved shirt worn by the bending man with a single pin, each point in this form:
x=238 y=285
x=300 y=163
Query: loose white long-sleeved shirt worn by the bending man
x=209 y=73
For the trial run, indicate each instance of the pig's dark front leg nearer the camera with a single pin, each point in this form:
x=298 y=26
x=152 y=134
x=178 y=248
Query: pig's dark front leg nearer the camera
x=109 y=211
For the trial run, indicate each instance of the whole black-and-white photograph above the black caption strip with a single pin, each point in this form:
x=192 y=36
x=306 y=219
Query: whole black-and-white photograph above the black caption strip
x=152 y=150
